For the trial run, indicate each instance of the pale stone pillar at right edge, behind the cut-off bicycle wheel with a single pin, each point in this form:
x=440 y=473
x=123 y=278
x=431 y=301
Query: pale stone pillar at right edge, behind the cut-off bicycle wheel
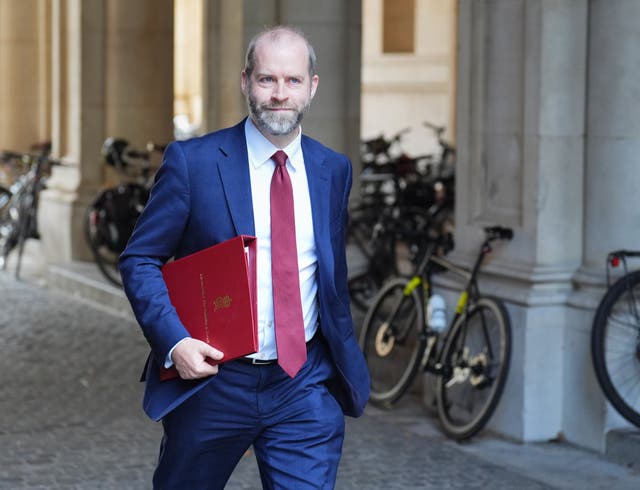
x=612 y=179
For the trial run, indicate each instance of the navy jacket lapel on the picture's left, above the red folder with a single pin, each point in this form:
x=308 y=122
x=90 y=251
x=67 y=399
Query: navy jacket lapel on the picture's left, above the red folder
x=233 y=167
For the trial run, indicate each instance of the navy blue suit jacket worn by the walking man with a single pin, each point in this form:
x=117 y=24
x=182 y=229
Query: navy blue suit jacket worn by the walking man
x=202 y=196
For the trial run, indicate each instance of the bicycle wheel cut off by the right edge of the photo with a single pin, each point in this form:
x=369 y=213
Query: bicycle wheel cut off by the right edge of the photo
x=615 y=346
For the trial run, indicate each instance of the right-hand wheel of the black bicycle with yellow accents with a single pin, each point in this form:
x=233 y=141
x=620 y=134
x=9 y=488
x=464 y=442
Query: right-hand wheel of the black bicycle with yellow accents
x=475 y=358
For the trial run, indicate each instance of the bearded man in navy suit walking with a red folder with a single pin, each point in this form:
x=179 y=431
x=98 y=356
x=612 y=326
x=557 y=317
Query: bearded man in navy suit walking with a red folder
x=287 y=401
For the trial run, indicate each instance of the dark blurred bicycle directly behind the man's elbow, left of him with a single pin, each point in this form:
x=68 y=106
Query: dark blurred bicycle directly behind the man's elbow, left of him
x=112 y=215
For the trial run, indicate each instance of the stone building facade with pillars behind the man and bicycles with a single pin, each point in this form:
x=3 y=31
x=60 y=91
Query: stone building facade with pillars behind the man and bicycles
x=545 y=125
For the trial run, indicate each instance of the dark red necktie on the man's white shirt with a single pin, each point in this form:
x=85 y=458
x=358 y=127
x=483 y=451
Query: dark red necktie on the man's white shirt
x=287 y=306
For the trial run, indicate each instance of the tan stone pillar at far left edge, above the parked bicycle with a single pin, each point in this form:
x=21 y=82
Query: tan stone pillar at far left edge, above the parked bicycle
x=26 y=73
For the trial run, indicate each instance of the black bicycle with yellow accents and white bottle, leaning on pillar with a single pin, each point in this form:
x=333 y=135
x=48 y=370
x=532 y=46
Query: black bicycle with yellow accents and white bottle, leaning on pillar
x=469 y=359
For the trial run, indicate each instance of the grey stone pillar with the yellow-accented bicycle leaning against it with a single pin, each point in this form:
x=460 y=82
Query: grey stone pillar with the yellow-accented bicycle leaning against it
x=521 y=93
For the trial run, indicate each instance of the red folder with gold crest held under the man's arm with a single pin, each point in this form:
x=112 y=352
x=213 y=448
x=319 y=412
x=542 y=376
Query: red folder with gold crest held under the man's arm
x=214 y=294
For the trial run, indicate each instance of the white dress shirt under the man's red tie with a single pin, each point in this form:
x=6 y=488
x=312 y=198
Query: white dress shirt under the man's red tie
x=261 y=169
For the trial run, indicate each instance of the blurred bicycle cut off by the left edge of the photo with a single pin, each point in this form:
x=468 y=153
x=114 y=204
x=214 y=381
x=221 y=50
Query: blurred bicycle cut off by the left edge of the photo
x=19 y=203
